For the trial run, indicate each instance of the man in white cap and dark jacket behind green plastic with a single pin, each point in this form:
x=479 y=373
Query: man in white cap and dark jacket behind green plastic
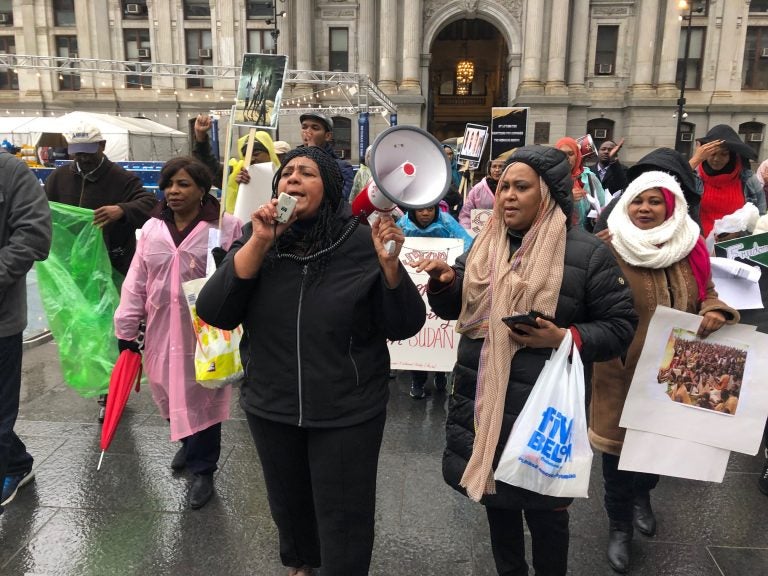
x=119 y=202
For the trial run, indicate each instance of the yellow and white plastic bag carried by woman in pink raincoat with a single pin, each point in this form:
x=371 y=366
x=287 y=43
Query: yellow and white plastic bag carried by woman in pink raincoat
x=217 y=353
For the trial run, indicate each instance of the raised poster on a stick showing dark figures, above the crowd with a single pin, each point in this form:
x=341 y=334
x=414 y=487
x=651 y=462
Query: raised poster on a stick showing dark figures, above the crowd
x=260 y=90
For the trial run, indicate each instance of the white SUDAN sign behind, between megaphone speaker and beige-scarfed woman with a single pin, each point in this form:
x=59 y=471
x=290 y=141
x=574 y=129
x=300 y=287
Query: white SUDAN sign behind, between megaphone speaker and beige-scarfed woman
x=433 y=349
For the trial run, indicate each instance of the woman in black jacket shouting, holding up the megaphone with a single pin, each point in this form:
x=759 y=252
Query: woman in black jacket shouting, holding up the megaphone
x=318 y=296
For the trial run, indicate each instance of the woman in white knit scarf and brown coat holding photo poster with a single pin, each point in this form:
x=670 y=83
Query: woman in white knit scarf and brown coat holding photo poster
x=663 y=256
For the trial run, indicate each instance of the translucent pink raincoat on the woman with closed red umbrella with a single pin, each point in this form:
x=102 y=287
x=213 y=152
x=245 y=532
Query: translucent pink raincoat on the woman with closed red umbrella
x=152 y=291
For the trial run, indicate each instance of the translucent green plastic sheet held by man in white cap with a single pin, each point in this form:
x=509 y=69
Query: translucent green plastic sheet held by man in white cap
x=80 y=297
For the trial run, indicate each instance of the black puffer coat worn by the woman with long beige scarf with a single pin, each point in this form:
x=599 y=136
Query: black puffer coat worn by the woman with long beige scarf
x=594 y=298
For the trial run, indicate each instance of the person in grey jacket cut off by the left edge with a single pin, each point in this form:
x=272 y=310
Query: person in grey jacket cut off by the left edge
x=25 y=236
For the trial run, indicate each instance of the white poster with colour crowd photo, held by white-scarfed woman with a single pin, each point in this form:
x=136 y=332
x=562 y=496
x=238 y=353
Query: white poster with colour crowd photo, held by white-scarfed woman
x=719 y=374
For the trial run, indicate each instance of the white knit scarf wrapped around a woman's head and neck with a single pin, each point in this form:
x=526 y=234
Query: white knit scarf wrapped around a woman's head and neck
x=658 y=247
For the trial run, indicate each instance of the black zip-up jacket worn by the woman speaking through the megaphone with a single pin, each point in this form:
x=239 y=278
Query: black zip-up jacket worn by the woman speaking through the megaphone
x=317 y=346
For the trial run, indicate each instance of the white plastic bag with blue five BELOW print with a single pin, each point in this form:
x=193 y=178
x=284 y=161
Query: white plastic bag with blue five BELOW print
x=548 y=450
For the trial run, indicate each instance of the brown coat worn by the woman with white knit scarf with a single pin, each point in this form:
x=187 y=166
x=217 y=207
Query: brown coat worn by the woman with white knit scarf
x=674 y=287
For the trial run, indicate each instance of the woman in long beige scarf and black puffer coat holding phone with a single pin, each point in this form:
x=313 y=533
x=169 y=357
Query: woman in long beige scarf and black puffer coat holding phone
x=527 y=258
